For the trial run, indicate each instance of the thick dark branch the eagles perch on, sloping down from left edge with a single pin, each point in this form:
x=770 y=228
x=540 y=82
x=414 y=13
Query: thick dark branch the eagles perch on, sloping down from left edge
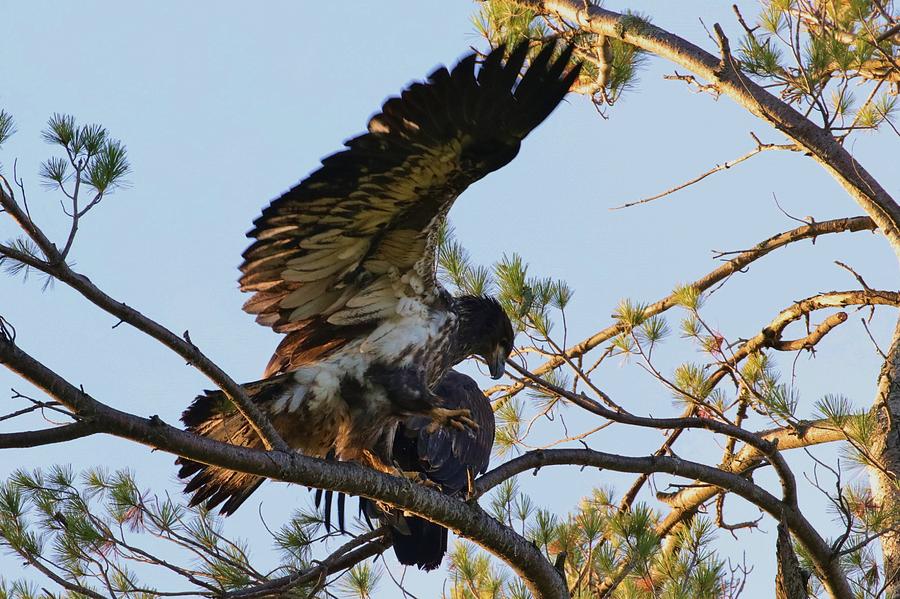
x=469 y=520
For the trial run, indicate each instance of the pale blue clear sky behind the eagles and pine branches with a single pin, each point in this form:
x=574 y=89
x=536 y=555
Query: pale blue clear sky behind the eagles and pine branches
x=225 y=105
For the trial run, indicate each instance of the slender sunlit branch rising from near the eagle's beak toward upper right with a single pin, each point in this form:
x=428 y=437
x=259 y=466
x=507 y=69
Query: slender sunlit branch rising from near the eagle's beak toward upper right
x=734 y=265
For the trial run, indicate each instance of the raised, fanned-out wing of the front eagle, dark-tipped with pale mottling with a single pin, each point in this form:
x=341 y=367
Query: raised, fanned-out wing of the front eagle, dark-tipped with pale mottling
x=331 y=252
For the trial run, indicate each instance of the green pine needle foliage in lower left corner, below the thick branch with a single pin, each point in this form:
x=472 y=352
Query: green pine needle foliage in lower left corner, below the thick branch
x=101 y=533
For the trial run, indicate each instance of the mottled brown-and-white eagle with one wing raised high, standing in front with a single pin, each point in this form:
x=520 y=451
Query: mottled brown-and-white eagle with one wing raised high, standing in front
x=344 y=265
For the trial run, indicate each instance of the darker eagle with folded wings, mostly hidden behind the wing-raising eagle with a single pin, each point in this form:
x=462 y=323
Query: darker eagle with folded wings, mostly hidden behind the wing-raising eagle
x=445 y=458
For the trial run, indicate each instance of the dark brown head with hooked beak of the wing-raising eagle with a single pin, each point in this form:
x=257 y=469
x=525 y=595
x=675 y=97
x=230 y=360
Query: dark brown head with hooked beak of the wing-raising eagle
x=485 y=331
